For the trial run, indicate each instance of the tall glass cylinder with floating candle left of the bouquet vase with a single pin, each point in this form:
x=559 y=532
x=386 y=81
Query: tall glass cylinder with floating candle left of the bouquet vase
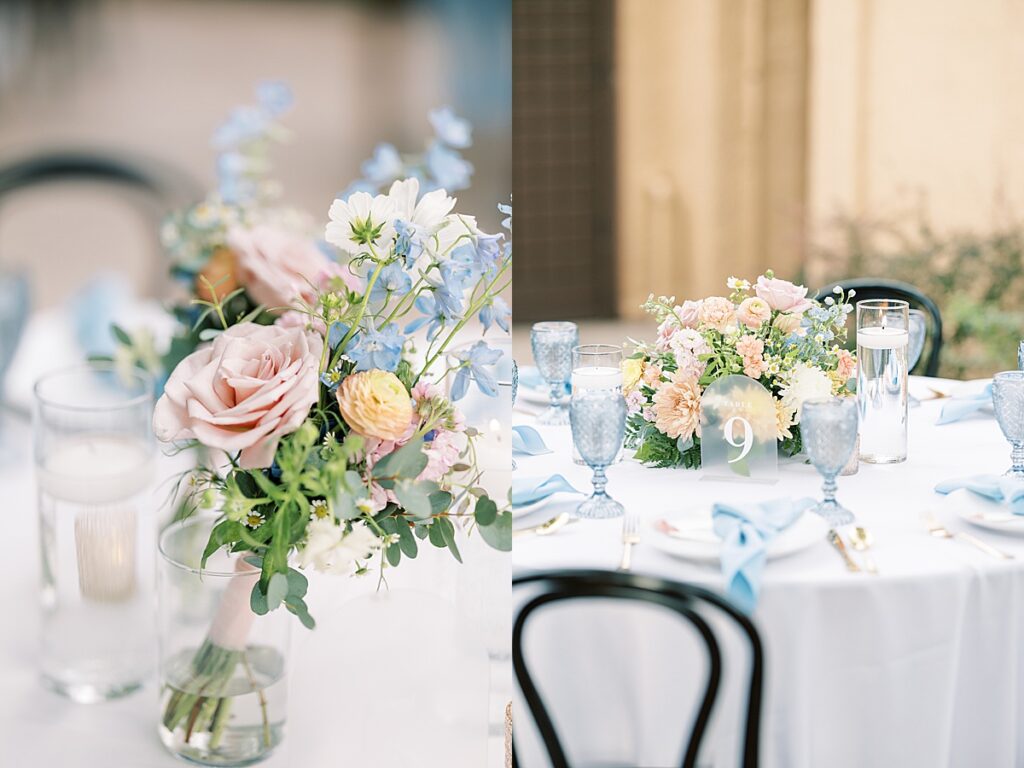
x=95 y=460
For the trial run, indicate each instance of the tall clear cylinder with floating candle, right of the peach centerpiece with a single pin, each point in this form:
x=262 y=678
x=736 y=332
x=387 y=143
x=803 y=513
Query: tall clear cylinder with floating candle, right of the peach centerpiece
x=883 y=338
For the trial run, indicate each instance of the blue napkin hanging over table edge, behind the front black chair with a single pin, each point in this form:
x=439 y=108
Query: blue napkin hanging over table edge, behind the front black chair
x=745 y=530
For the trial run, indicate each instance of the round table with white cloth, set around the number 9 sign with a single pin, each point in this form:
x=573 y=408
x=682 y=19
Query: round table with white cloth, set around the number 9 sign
x=918 y=666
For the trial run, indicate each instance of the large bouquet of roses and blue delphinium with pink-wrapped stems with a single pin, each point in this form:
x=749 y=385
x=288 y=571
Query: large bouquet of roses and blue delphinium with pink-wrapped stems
x=311 y=376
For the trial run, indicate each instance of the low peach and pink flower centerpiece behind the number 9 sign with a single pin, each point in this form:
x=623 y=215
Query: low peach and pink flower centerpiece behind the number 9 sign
x=771 y=332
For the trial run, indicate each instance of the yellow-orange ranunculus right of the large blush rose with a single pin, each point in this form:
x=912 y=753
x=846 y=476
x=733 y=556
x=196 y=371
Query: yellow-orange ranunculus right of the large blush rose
x=375 y=404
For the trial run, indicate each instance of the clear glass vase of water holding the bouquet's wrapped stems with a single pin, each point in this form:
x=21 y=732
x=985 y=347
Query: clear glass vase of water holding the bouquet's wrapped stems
x=223 y=668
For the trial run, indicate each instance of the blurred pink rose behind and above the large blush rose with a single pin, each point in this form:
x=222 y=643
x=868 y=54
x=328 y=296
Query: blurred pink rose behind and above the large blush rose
x=278 y=268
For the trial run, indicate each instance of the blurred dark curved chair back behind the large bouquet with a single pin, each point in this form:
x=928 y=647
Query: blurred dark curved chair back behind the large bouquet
x=163 y=187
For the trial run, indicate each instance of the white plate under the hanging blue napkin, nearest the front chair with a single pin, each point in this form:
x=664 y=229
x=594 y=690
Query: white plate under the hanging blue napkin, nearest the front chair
x=702 y=545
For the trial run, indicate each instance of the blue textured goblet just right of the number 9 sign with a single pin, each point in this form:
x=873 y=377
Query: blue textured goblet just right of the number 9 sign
x=830 y=432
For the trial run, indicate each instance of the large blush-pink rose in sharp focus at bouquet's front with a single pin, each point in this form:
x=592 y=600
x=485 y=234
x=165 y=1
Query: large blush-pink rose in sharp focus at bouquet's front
x=253 y=386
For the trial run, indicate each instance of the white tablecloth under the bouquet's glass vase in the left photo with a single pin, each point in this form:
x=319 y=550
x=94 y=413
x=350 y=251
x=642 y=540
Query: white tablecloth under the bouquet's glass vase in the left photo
x=347 y=705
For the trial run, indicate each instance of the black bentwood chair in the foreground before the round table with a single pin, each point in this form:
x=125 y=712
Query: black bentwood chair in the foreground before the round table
x=695 y=605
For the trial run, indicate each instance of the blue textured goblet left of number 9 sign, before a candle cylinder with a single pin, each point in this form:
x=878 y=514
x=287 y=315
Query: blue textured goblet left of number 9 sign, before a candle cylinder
x=599 y=421
